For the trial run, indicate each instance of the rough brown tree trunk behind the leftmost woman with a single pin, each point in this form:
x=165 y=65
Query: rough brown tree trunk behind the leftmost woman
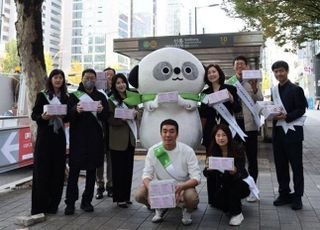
x=30 y=49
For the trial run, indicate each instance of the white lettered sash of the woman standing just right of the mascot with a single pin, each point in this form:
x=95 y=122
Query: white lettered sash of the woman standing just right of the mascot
x=227 y=116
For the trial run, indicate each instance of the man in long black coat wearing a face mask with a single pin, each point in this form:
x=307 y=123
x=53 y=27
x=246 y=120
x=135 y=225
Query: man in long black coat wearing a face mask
x=86 y=140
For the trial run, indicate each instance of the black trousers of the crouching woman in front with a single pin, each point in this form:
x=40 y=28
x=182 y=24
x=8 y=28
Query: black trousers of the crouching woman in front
x=228 y=194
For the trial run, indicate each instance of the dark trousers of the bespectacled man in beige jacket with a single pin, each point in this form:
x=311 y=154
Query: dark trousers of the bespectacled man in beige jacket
x=251 y=145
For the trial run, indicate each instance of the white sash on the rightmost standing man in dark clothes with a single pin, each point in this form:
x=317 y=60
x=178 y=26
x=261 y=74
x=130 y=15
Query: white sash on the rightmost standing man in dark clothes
x=285 y=125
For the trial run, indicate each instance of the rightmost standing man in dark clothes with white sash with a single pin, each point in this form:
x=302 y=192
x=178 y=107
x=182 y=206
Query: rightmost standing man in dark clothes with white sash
x=288 y=136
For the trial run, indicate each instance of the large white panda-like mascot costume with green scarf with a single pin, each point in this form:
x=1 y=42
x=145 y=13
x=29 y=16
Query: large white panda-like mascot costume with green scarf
x=169 y=71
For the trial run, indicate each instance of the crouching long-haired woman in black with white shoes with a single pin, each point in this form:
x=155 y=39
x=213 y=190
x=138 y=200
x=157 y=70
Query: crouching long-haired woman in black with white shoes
x=227 y=187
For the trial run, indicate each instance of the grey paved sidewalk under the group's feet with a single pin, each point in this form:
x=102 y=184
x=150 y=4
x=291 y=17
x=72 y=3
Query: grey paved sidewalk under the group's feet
x=259 y=215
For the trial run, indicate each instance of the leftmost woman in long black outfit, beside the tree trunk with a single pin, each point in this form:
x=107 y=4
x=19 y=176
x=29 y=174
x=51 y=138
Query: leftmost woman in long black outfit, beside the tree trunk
x=50 y=148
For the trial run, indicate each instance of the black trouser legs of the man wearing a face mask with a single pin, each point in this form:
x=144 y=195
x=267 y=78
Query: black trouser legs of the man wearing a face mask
x=73 y=189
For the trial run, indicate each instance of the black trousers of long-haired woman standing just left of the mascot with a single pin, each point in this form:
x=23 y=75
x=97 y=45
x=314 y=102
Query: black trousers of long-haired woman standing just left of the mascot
x=122 y=170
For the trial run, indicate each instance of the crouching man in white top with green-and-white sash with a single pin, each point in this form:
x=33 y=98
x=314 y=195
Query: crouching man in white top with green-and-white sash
x=175 y=160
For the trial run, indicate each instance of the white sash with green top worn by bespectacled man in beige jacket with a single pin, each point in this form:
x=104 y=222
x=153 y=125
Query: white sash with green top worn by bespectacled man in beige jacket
x=246 y=98
